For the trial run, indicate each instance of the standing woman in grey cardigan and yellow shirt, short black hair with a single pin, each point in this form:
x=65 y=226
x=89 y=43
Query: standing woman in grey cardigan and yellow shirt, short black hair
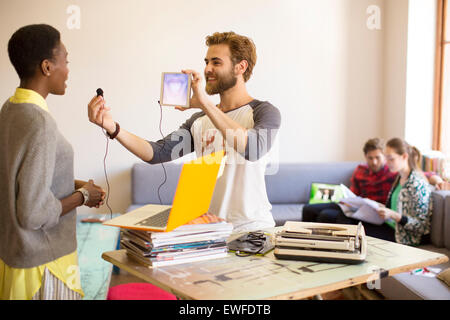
x=38 y=193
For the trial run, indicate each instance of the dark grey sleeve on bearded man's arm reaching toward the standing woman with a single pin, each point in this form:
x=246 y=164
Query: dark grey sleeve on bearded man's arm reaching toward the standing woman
x=176 y=144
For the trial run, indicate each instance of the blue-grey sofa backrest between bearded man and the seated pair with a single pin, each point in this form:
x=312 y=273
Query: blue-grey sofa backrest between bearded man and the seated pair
x=292 y=181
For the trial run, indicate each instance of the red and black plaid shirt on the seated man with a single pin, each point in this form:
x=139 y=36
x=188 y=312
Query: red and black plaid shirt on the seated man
x=373 y=185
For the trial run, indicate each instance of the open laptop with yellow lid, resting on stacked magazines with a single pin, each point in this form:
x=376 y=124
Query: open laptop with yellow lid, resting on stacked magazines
x=192 y=198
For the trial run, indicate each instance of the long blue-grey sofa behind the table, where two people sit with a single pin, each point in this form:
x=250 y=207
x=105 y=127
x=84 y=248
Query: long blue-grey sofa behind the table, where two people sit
x=288 y=191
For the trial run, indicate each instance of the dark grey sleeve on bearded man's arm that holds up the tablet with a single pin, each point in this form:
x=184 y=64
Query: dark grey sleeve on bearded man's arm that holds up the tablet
x=260 y=138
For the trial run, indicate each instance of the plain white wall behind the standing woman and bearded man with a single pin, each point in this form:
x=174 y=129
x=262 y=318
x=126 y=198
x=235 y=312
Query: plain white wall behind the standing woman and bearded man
x=317 y=62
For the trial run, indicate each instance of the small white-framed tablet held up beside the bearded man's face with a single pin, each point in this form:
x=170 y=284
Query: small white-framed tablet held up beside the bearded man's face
x=175 y=89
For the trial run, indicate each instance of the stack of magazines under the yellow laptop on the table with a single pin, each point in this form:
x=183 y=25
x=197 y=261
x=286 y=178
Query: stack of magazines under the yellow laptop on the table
x=203 y=238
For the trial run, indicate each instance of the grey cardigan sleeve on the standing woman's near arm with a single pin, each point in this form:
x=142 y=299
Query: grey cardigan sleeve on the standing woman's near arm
x=36 y=205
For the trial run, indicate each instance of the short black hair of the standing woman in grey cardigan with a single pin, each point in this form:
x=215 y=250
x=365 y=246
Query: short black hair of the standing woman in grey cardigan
x=30 y=45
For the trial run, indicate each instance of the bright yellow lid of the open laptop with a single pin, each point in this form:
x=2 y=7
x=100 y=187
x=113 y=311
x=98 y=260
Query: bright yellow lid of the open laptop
x=195 y=189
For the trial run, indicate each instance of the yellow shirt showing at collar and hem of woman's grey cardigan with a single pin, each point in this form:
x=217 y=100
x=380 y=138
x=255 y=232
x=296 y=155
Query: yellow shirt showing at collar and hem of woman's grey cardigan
x=23 y=284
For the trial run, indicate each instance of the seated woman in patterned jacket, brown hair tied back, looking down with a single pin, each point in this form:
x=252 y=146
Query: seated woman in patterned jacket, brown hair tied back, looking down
x=407 y=212
